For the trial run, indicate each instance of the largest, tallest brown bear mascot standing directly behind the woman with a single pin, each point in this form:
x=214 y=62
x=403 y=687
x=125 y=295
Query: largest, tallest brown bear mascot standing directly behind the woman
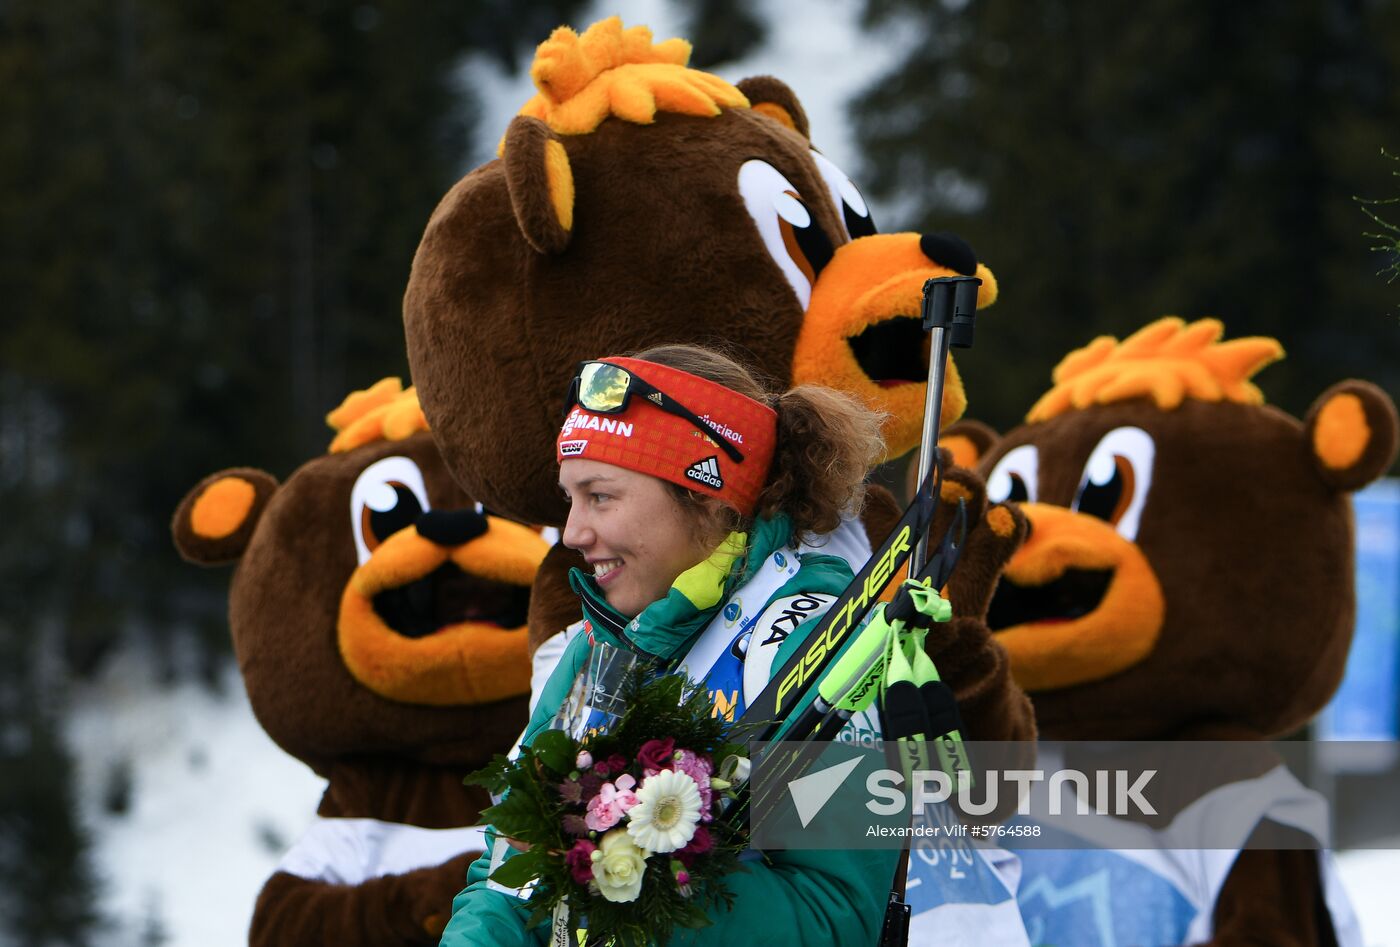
x=639 y=202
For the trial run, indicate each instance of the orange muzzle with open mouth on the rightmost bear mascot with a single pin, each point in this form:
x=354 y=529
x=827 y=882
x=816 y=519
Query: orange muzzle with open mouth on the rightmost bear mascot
x=1077 y=602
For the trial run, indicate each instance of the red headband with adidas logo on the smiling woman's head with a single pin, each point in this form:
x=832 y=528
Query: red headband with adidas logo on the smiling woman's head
x=650 y=441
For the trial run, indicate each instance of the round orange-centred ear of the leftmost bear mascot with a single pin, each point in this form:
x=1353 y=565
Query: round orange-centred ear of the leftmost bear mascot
x=216 y=520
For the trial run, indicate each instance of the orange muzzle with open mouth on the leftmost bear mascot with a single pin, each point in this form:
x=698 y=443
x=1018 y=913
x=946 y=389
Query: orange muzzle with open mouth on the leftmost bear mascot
x=443 y=625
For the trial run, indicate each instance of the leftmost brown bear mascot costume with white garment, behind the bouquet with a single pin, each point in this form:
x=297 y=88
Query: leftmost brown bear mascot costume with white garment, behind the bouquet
x=379 y=618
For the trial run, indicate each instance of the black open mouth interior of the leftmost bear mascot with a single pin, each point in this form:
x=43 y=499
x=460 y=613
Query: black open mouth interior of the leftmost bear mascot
x=449 y=596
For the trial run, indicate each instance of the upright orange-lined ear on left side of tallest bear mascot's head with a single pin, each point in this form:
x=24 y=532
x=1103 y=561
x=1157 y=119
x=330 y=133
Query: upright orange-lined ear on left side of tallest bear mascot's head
x=541 y=183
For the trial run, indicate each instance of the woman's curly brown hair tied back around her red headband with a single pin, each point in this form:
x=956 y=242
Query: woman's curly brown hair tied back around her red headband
x=827 y=442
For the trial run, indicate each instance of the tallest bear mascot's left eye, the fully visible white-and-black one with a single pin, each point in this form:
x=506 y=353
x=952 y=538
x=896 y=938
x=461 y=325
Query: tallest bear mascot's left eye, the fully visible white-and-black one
x=793 y=237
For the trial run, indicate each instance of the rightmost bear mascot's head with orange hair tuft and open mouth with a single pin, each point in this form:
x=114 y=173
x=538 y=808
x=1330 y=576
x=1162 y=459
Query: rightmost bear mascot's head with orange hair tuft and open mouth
x=1191 y=557
